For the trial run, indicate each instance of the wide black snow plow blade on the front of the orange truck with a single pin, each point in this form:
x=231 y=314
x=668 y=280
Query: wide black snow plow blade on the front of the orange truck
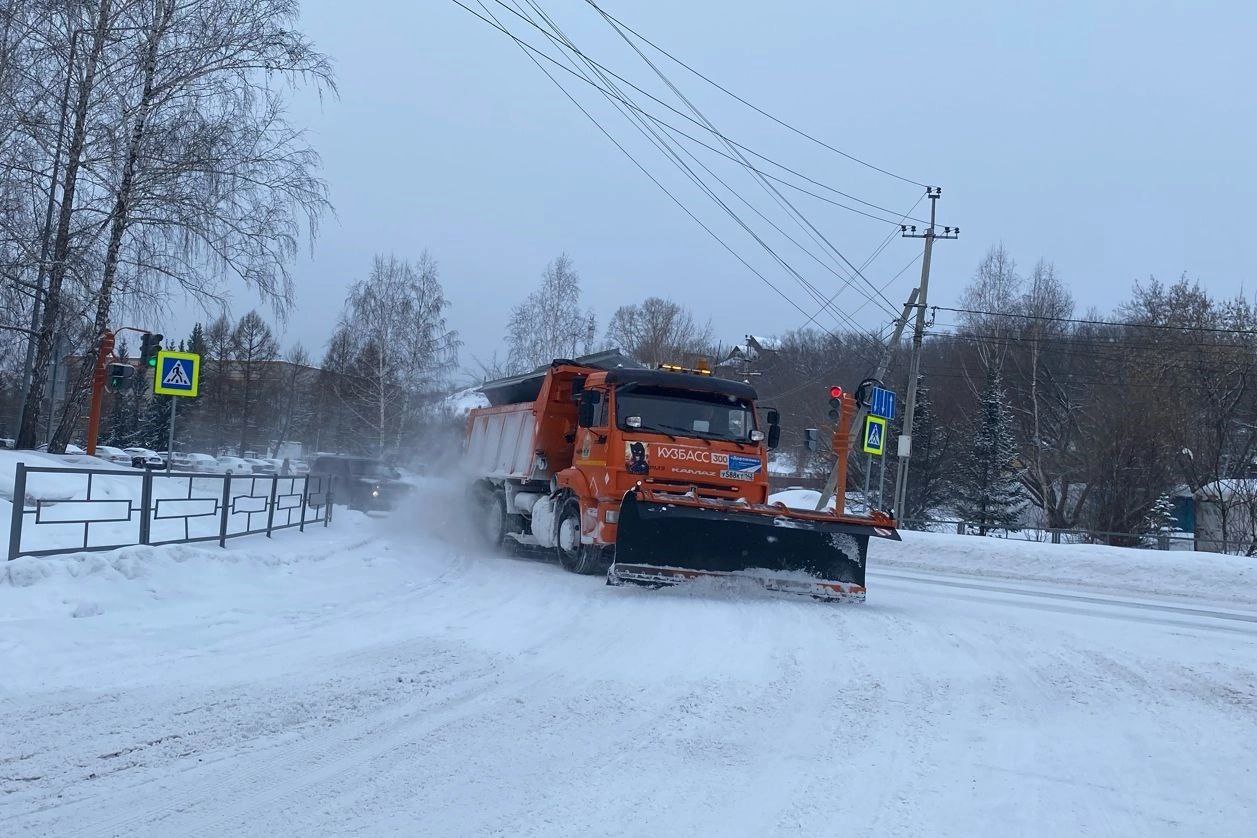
x=668 y=540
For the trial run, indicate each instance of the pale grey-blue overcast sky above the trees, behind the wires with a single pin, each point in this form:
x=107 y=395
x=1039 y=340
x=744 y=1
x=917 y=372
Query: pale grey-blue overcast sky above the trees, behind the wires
x=1116 y=139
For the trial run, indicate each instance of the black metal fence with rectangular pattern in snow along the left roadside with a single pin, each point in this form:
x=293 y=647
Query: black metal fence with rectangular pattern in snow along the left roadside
x=99 y=509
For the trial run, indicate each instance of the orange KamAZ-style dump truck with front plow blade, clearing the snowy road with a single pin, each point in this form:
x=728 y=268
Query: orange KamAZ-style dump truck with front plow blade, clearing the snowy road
x=654 y=477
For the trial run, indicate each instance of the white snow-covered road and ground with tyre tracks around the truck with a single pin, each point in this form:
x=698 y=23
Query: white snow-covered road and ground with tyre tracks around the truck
x=375 y=679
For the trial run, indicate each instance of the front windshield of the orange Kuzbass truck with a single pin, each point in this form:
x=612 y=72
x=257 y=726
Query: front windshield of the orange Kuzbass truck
x=681 y=413
